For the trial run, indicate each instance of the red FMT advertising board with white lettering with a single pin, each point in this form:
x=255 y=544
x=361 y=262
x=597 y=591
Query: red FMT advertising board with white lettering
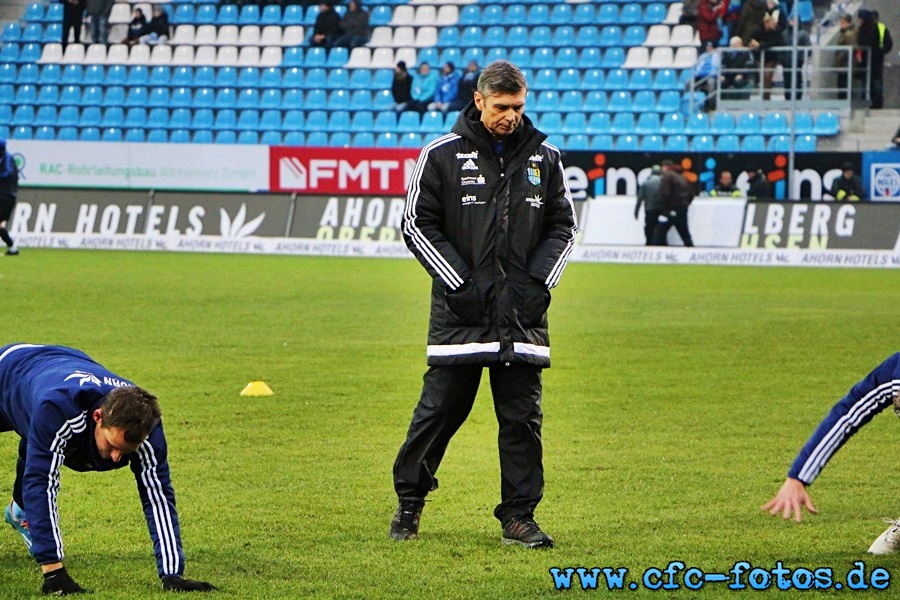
x=341 y=170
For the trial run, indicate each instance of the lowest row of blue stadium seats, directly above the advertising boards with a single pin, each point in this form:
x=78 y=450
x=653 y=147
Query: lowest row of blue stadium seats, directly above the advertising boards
x=652 y=143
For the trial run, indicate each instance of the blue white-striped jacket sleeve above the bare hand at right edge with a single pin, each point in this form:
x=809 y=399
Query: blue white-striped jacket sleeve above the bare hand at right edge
x=865 y=400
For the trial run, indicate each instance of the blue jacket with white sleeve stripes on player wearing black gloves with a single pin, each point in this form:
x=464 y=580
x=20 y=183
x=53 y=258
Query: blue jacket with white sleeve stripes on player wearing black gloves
x=48 y=395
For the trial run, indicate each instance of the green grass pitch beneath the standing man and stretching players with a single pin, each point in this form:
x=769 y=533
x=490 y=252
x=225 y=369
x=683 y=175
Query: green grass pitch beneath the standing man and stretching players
x=678 y=397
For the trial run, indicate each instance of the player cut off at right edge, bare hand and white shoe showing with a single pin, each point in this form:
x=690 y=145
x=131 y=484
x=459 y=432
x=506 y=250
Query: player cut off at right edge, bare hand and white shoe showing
x=879 y=390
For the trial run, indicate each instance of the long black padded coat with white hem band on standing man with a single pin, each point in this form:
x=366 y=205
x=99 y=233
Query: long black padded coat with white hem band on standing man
x=494 y=233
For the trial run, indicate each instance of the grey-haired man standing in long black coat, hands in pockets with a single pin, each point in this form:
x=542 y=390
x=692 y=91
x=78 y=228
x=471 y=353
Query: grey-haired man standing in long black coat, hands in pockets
x=490 y=217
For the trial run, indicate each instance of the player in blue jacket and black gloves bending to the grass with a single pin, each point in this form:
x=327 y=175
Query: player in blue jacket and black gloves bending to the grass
x=69 y=410
